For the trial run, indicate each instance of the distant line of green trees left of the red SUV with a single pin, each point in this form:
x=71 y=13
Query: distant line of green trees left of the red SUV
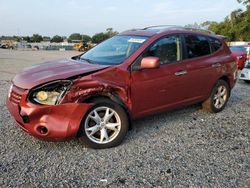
x=74 y=37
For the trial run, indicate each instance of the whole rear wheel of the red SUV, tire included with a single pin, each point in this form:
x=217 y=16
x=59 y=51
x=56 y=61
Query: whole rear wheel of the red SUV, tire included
x=218 y=98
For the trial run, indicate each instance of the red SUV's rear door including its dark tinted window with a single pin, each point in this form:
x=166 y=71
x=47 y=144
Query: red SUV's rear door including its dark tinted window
x=202 y=65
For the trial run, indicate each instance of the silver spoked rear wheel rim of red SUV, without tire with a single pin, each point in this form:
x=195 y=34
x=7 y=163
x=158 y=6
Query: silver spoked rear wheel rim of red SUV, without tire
x=220 y=97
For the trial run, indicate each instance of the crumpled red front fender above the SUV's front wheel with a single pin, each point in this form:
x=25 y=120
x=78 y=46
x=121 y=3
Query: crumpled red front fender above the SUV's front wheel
x=115 y=86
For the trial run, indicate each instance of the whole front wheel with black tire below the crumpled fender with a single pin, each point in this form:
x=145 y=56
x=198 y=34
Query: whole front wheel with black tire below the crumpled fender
x=105 y=125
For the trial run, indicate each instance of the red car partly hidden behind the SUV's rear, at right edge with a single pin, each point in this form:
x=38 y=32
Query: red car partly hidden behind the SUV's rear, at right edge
x=240 y=55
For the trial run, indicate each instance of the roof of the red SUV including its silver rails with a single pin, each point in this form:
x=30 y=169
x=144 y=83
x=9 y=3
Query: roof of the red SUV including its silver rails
x=154 y=30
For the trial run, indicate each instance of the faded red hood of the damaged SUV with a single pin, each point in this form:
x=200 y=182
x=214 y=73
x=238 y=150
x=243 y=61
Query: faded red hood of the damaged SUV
x=53 y=70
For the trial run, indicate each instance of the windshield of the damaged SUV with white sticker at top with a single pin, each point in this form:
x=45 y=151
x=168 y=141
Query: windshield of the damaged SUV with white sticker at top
x=114 y=50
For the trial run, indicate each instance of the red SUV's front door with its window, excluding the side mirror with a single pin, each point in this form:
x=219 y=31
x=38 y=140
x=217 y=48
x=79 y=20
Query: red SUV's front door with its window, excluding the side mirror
x=155 y=89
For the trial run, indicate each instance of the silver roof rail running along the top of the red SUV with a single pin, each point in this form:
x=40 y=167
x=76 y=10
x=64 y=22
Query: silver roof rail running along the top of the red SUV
x=165 y=27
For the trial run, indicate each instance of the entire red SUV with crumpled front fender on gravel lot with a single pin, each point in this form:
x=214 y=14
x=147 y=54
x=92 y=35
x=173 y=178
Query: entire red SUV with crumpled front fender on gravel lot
x=137 y=73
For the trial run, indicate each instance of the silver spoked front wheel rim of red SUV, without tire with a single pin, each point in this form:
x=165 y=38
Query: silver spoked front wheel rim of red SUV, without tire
x=102 y=125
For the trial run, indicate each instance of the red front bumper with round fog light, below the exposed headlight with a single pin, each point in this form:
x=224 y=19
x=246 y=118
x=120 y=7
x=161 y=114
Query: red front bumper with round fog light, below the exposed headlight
x=57 y=122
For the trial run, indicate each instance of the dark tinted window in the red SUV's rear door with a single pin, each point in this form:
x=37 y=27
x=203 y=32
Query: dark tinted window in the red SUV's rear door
x=197 y=46
